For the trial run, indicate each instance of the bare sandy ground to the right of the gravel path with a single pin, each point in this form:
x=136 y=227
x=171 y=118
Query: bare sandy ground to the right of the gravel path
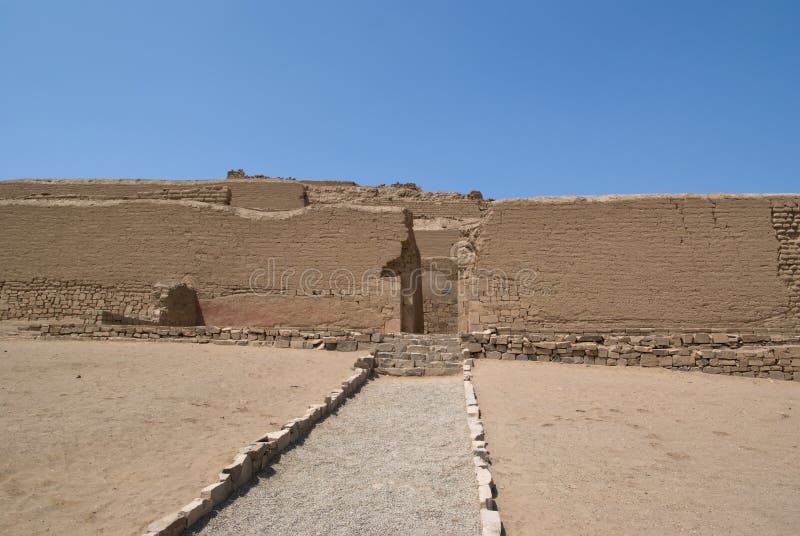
x=602 y=450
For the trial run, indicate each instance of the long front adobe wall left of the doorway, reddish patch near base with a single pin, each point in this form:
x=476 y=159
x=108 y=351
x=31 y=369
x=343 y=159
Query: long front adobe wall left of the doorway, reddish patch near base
x=70 y=258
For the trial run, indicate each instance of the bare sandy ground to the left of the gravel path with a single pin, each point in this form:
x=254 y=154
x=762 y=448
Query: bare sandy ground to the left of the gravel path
x=104 y=437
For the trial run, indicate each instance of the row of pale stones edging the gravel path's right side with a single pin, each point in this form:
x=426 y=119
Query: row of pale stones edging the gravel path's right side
x=491 y=525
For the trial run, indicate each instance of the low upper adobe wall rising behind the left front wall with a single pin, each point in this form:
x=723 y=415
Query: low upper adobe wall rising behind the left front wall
x=259 y=194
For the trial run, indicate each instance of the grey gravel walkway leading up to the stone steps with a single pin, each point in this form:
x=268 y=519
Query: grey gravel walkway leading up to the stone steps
x=394 y=460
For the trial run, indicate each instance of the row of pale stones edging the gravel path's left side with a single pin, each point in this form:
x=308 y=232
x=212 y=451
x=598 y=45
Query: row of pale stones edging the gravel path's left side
x=258 y=455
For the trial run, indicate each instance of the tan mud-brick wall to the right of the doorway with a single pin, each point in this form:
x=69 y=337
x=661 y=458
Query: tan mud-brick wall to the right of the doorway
x=662 y=262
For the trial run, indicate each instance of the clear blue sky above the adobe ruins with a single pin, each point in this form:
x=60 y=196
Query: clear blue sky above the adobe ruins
x=511 y=98
